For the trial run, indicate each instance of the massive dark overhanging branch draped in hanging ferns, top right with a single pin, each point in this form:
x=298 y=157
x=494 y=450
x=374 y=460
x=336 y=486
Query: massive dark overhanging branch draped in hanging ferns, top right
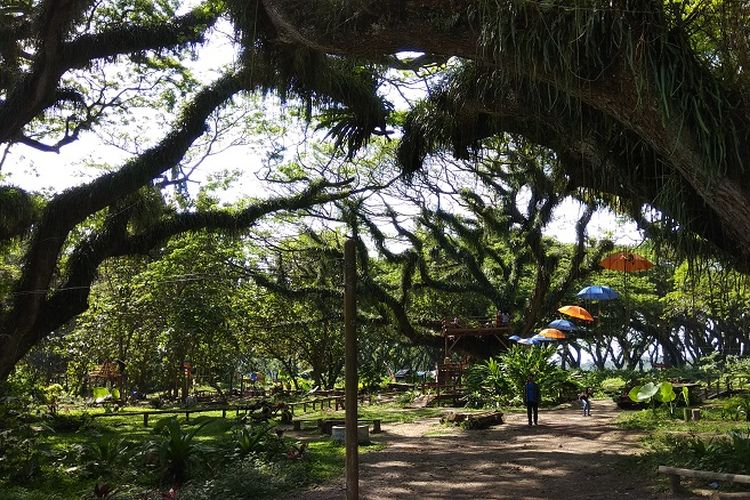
x=643 y=99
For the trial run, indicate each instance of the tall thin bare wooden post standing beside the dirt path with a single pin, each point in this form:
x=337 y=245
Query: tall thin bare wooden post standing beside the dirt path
x=350 y=370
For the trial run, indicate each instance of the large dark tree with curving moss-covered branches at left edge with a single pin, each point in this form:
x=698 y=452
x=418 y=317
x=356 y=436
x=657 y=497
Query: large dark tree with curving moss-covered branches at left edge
x=57 y=58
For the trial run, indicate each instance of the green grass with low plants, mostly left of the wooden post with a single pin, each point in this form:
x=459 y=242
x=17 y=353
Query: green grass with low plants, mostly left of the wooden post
x=62 y=446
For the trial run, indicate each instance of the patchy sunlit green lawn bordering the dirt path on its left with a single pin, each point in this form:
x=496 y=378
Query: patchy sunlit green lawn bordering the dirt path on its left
x=66 y=460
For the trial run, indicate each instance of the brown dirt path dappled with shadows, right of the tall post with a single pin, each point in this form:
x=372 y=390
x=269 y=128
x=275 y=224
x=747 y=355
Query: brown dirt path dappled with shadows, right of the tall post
x=566 y=456
